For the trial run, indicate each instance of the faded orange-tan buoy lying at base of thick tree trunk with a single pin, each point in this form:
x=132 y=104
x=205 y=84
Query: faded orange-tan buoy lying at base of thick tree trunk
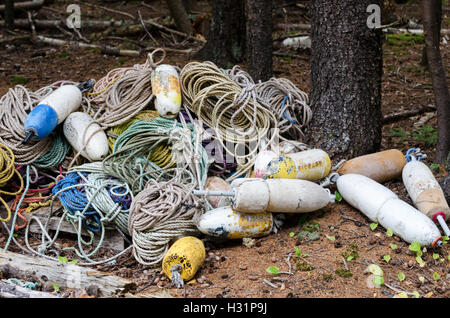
x=380 y=166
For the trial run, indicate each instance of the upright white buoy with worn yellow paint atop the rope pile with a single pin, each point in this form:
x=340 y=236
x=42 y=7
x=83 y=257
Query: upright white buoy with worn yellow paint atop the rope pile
x=166 y=87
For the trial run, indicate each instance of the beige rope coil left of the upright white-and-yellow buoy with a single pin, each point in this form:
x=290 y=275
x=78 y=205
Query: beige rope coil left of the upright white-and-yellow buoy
x=123 y=92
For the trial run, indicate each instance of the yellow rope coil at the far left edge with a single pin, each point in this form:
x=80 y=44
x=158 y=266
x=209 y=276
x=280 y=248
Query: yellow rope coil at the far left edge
x=7 y=171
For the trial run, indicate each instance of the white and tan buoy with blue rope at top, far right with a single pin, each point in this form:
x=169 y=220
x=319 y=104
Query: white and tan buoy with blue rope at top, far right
x=425 y=191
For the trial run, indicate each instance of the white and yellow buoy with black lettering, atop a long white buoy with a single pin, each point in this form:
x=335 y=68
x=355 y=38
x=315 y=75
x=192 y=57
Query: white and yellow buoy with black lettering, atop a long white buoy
x=312 y=165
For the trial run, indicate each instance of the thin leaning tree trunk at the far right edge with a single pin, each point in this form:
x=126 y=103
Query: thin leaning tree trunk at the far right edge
x=432 y=12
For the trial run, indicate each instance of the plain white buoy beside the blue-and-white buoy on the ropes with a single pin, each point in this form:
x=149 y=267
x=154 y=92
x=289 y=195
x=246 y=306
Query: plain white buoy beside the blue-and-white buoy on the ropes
x=78 y=125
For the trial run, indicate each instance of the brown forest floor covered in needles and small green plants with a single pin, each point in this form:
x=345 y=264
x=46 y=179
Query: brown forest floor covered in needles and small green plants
x=323 y=268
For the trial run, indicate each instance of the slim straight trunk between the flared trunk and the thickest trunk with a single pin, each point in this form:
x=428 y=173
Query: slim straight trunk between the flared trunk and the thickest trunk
x=259 y=39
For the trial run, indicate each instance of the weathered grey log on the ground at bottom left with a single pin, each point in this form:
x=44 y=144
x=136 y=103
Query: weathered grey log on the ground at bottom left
x=67 y=275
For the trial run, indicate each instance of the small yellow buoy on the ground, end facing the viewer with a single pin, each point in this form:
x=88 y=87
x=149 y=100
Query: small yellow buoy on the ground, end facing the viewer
x=183 y=259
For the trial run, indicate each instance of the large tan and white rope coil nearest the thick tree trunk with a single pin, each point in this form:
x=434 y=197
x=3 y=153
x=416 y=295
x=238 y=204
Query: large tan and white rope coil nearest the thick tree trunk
x=231 y=111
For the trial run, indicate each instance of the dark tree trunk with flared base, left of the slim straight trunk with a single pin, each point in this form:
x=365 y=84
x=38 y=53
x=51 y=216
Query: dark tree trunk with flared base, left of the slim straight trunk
x=226 y=40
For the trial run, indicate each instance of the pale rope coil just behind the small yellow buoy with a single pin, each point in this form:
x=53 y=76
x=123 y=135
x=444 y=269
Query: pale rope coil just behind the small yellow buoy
x=160 y=213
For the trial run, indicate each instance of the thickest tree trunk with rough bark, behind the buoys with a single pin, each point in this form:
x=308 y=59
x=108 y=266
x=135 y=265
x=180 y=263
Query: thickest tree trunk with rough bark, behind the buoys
x=346 y=68
